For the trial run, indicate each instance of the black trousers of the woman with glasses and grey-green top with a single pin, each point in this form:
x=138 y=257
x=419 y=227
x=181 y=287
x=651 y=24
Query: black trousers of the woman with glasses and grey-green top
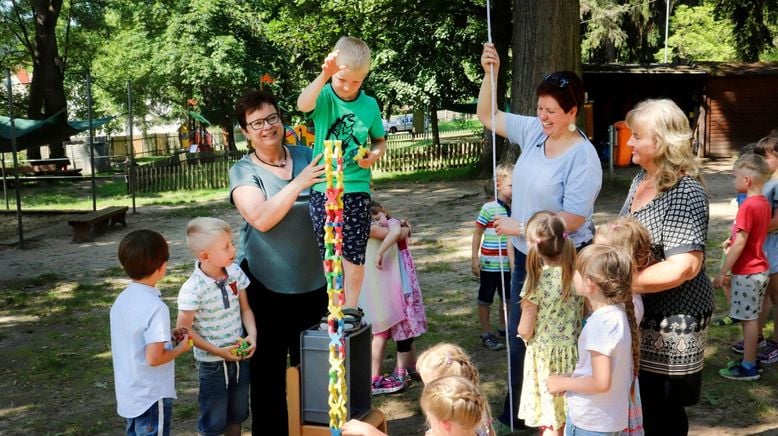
x=280 y=319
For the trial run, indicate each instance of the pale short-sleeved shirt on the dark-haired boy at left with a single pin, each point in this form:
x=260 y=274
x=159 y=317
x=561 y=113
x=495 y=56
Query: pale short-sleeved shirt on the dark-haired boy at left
x=138 y=318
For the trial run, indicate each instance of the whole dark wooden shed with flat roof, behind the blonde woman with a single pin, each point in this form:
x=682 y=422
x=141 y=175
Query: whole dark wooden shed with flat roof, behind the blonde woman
x=728 y=104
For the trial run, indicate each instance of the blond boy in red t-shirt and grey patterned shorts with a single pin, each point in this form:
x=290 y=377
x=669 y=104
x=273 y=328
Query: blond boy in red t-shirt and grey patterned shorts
x=747 y=261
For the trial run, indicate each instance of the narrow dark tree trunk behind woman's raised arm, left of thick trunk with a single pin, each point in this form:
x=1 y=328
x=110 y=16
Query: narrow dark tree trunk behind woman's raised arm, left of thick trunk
x=501 y=37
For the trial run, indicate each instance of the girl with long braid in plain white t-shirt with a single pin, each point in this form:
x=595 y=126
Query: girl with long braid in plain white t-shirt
x=608 y=349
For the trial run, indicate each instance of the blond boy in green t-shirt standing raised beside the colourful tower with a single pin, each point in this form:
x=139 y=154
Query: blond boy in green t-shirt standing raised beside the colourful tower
x=341 y=111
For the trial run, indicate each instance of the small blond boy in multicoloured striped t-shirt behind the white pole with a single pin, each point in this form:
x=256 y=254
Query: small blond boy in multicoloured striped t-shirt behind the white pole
x=492 y=256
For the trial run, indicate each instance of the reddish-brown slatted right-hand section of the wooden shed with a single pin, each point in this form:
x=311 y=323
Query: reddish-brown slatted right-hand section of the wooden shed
x=740 y=105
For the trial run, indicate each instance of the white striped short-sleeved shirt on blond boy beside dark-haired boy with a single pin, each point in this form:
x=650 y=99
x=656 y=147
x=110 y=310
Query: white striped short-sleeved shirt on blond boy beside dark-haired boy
x=217 y=325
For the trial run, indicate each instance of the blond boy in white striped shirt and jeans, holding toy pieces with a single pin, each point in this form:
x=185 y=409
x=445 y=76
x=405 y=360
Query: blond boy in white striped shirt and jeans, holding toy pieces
x=213 y=305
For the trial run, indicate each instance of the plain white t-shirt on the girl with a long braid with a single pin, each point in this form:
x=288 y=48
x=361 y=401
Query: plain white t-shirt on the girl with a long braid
x=606 y=332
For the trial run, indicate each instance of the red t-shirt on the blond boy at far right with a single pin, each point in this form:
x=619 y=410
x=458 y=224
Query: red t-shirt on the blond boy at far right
x=753 y=217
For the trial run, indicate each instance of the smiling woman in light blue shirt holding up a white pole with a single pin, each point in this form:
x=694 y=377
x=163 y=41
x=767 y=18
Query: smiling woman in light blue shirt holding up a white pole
x=558 y=170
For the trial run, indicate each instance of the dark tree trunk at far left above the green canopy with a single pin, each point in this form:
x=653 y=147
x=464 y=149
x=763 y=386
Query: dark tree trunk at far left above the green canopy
x=47 y=91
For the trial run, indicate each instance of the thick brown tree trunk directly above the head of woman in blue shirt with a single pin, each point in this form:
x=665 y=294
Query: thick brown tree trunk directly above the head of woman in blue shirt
x=546 y=38
